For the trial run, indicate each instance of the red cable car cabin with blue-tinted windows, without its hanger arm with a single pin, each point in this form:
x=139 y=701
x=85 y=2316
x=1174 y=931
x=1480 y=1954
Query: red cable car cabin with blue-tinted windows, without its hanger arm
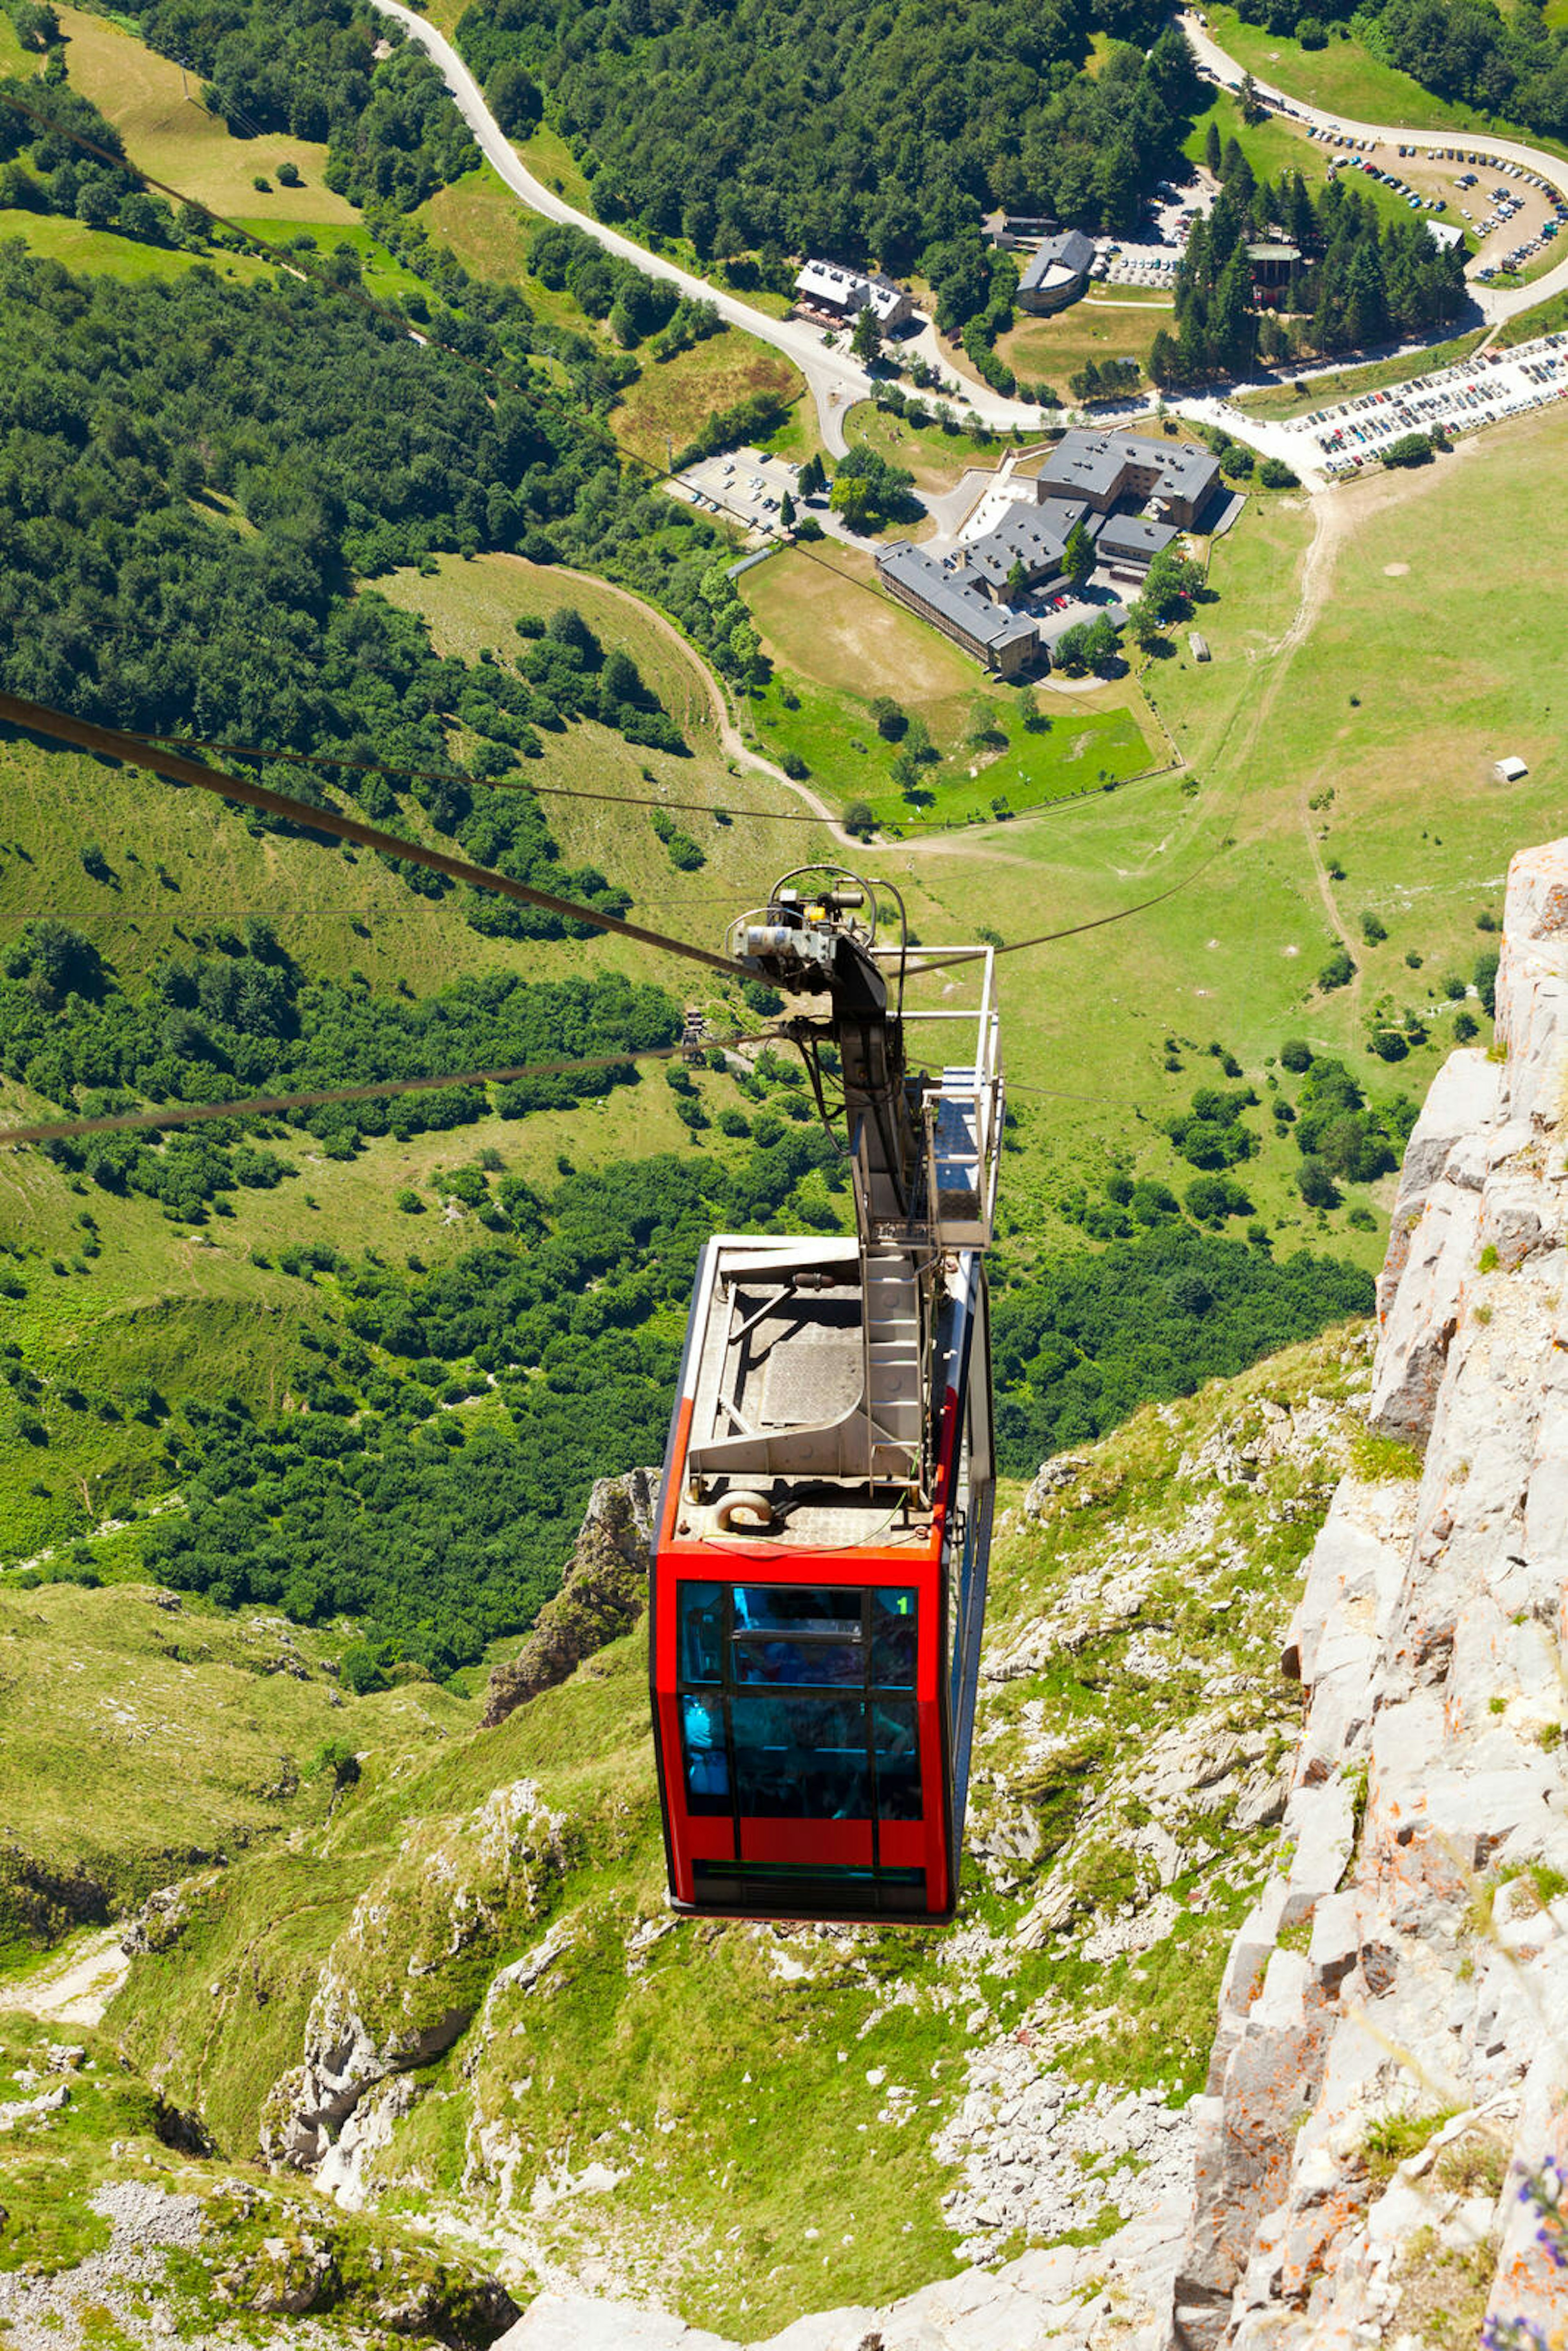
x=817 y=1640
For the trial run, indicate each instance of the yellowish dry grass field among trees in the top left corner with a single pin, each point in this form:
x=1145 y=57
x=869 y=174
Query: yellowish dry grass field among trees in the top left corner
x=170 y=135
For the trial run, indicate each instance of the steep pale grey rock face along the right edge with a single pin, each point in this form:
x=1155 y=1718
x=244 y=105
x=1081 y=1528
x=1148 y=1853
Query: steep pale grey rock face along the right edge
x=1393 y=2049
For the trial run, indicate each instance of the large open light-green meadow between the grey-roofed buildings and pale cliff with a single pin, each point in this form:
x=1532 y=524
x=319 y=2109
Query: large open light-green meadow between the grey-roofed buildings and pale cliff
x=1416 y=826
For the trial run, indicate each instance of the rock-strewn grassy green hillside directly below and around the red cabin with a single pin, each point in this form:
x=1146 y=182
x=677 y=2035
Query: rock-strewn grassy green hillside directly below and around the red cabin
x=500 y=1905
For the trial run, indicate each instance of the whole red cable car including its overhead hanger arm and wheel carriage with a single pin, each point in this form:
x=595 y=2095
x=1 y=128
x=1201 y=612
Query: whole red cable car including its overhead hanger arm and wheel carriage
x=824 y=1525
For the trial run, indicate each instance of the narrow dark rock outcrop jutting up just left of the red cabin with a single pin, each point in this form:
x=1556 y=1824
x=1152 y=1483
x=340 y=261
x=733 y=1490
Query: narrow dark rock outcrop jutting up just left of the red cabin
x=603 y=1595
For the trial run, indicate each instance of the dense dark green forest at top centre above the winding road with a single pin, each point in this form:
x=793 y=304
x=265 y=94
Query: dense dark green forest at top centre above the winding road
x=831 y=130
